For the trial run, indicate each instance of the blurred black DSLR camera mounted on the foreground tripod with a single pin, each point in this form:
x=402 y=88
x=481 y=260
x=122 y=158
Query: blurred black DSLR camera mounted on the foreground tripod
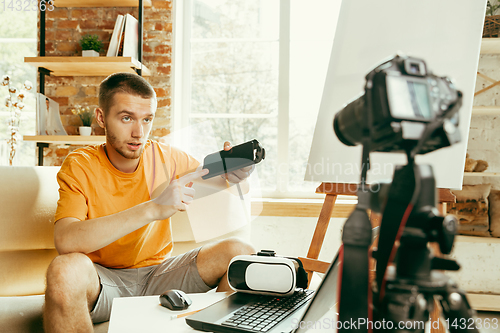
x=401 y=99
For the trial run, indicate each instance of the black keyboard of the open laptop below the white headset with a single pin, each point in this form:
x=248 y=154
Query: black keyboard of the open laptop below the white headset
x=263 y=315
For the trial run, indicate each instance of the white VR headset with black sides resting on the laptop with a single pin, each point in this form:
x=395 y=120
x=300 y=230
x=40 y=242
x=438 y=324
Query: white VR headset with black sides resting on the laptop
x=266 y=274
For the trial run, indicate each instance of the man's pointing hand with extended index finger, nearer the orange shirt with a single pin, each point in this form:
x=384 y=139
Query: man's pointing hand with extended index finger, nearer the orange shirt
x=177 y=195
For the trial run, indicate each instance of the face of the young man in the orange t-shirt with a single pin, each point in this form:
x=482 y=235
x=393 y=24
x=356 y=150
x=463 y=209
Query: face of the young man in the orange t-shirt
x=128 y=124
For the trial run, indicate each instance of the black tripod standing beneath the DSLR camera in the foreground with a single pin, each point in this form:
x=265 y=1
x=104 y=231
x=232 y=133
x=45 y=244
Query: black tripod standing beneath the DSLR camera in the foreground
x=406 y=294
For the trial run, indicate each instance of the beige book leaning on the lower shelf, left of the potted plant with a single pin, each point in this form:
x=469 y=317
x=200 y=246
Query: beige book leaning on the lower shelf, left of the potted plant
x=48 y=119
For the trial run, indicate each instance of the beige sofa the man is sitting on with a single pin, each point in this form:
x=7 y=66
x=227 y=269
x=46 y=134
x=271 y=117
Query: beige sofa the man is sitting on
x=28 y=198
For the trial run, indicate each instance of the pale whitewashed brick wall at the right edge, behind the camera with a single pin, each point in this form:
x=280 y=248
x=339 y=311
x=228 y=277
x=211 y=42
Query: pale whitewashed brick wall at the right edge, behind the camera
x=484 y=135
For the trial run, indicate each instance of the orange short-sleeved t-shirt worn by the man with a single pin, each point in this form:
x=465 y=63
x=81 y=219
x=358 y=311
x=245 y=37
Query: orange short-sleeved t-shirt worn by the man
x=91 y=187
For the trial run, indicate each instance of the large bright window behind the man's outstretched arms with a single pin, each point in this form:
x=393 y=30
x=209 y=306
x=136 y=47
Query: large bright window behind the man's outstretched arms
x=255 y=69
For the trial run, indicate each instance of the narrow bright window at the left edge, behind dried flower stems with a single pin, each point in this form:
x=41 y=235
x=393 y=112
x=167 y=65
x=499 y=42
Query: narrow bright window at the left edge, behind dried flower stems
x=18 y=39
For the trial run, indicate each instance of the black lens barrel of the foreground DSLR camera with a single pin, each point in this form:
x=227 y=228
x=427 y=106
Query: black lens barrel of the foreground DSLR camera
x=347 y=122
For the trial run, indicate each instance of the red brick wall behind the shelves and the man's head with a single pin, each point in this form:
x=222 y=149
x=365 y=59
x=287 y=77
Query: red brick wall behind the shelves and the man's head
x=65 y=27
